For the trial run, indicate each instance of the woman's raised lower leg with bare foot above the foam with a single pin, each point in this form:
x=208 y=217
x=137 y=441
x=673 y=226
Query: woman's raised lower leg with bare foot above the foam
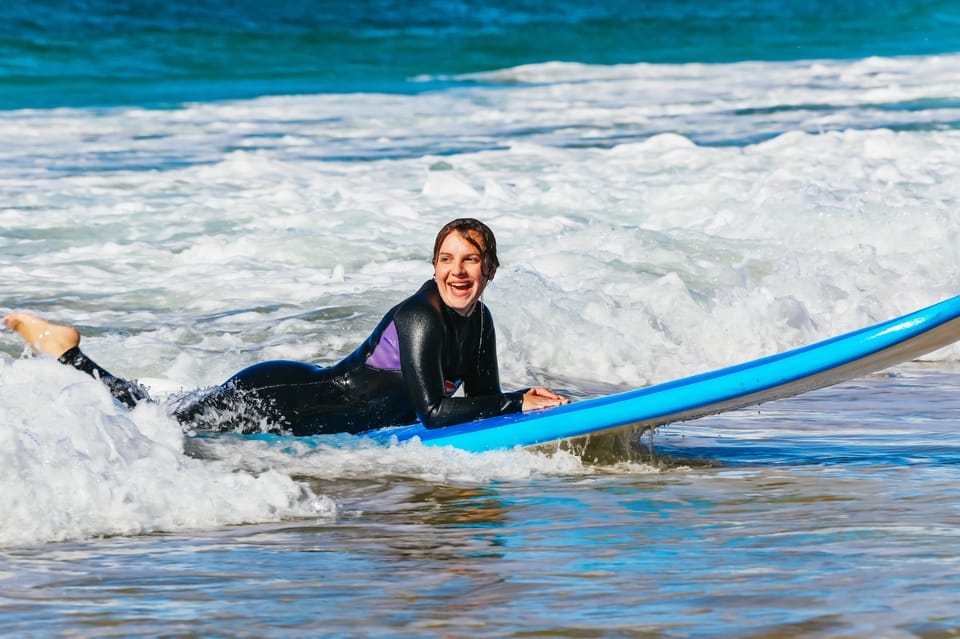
x=63 y=342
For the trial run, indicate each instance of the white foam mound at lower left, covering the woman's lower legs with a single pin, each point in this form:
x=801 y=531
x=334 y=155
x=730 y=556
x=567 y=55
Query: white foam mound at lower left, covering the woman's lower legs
x=75 y=465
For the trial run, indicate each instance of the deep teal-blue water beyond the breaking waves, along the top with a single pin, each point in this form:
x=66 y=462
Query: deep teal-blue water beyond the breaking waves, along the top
x=108 y=52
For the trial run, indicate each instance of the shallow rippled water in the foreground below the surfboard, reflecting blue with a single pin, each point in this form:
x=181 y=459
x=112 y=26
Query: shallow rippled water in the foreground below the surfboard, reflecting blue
x=831 y=514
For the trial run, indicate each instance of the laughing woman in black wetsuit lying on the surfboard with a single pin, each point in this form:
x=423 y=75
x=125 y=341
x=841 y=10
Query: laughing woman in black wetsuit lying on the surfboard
x=421 y=353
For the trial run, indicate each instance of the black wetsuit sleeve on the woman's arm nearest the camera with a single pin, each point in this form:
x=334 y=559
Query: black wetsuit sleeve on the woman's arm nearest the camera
x=420 y=336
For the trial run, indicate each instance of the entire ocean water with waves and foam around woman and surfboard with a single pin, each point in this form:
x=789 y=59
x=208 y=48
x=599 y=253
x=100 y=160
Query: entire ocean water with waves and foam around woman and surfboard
x=675 y=186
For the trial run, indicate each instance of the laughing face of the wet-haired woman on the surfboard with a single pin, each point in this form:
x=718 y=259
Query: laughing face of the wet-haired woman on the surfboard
x=459 y=273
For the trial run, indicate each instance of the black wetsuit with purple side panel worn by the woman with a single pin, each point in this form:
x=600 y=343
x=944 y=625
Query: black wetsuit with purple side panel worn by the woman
x=408 y=368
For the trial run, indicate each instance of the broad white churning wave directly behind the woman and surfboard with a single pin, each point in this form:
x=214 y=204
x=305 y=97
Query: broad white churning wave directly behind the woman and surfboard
x=634 y=264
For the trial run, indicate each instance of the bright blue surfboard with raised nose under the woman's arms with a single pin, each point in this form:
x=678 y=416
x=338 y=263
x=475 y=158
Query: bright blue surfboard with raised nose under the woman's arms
x=789 y=373
